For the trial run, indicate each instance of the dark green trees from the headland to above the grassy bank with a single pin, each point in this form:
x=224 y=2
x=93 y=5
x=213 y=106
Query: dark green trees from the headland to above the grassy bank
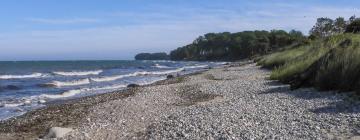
x=247 y=44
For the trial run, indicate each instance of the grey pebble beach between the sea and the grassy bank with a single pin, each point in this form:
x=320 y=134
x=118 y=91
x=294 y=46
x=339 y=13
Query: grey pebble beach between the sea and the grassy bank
x=233 y=102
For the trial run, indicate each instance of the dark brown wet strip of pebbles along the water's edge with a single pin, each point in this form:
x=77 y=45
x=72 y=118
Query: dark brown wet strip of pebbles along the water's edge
x=67 y=113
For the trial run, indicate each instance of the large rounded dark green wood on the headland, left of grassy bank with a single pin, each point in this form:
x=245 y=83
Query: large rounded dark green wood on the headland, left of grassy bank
x=234 y=46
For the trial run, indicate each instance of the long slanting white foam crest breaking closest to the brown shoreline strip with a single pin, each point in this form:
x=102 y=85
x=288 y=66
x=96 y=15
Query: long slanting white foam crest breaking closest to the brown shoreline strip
x=74 y=92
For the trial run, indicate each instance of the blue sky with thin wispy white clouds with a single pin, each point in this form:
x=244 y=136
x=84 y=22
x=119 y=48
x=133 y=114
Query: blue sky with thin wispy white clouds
x=119 y=29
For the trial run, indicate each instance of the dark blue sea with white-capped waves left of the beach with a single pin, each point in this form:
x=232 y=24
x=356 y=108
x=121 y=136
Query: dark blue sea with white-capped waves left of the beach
x=28 y=85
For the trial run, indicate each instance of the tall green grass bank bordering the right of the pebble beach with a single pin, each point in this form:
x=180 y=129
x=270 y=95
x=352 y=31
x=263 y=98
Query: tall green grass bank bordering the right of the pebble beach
x=329 y=64
